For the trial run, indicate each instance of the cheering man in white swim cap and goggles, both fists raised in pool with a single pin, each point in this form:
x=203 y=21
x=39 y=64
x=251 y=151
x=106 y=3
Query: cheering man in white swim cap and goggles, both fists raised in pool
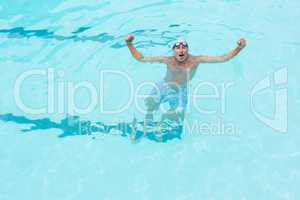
x=181 y=68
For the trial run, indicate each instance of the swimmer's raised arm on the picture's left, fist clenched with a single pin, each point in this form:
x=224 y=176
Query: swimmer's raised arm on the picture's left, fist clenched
x=137 y=55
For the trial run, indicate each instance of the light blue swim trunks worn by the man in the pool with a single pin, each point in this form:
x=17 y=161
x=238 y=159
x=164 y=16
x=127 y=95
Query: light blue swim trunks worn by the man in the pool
x=173 y=94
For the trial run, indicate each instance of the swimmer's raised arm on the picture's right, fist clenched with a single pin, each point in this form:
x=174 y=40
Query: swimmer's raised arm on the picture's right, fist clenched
x=215 y=59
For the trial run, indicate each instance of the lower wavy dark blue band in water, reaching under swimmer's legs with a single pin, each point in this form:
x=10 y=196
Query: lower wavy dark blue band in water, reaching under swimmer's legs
x=74 y=126
